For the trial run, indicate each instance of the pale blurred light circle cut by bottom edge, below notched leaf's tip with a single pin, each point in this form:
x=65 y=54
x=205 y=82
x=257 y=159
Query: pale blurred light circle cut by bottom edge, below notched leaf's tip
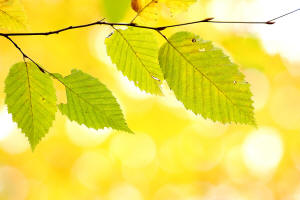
x=124 y=191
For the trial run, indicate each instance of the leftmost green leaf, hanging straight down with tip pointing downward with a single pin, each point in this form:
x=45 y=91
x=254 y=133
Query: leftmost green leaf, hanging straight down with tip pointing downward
x=31 y=99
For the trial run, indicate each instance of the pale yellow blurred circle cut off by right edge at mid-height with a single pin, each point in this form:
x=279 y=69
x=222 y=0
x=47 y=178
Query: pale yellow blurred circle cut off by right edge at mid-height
x=285 y=107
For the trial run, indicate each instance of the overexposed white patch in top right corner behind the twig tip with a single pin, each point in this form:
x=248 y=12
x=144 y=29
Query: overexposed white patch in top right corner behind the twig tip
x=276 y=39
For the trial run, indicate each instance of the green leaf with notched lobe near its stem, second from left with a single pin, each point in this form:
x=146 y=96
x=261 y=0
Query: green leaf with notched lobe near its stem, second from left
x=89 y=102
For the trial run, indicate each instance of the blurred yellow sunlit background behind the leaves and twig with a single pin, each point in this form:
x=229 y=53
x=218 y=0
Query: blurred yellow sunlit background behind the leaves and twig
x=173 y=155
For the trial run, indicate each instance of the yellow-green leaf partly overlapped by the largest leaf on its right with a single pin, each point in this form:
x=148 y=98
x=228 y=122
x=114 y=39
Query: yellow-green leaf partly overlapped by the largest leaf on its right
x=135 y=52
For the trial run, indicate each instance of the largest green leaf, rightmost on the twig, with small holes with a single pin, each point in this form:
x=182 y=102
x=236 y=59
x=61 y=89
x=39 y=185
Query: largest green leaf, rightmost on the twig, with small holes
x=205 y=80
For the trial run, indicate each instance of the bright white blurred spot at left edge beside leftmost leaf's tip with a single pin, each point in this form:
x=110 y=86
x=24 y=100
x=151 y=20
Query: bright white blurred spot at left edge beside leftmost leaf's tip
x=15 y=143
